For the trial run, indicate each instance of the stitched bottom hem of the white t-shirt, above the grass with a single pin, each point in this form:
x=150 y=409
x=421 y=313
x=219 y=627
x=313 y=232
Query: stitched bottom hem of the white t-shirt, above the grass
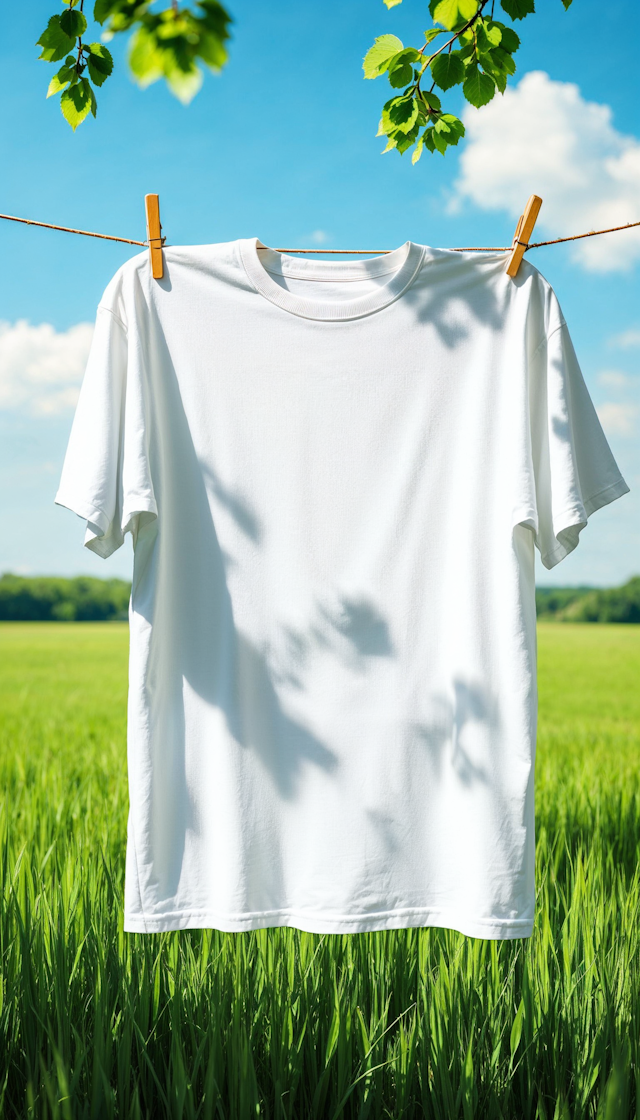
x=494 y=929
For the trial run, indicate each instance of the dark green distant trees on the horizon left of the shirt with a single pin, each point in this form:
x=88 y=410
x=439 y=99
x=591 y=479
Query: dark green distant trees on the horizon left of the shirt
x=51 y=599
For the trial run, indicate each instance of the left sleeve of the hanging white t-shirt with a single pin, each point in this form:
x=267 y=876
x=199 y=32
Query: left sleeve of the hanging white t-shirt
x=107 y=478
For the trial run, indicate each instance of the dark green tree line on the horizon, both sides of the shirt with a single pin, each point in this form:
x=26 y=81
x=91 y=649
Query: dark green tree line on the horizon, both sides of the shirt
x=86 y=599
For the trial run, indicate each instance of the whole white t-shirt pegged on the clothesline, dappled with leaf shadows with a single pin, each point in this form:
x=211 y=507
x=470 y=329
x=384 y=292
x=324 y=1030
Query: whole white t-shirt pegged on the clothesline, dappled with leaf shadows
x=335 y=474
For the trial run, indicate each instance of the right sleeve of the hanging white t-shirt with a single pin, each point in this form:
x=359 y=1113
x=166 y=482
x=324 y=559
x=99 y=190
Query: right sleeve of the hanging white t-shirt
x=573 y=466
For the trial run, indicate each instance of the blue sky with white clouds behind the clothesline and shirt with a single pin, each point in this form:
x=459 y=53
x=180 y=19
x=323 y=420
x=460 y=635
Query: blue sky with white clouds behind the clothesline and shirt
x=283 y=146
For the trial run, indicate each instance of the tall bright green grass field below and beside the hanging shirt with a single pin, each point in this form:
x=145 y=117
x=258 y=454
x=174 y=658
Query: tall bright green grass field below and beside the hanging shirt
x=282 y=1024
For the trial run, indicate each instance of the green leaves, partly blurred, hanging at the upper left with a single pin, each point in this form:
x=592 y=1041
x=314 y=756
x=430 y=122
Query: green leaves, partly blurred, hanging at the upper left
x=166 y=44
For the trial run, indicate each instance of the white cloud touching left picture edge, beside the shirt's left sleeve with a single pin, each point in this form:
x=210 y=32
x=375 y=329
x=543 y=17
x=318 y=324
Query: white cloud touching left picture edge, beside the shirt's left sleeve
x=41 y=369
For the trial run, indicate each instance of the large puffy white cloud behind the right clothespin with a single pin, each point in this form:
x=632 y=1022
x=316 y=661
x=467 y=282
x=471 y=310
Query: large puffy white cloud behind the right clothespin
x=542 y=137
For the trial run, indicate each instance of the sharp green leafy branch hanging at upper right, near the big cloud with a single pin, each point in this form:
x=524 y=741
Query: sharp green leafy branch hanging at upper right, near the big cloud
x=483 y=63
